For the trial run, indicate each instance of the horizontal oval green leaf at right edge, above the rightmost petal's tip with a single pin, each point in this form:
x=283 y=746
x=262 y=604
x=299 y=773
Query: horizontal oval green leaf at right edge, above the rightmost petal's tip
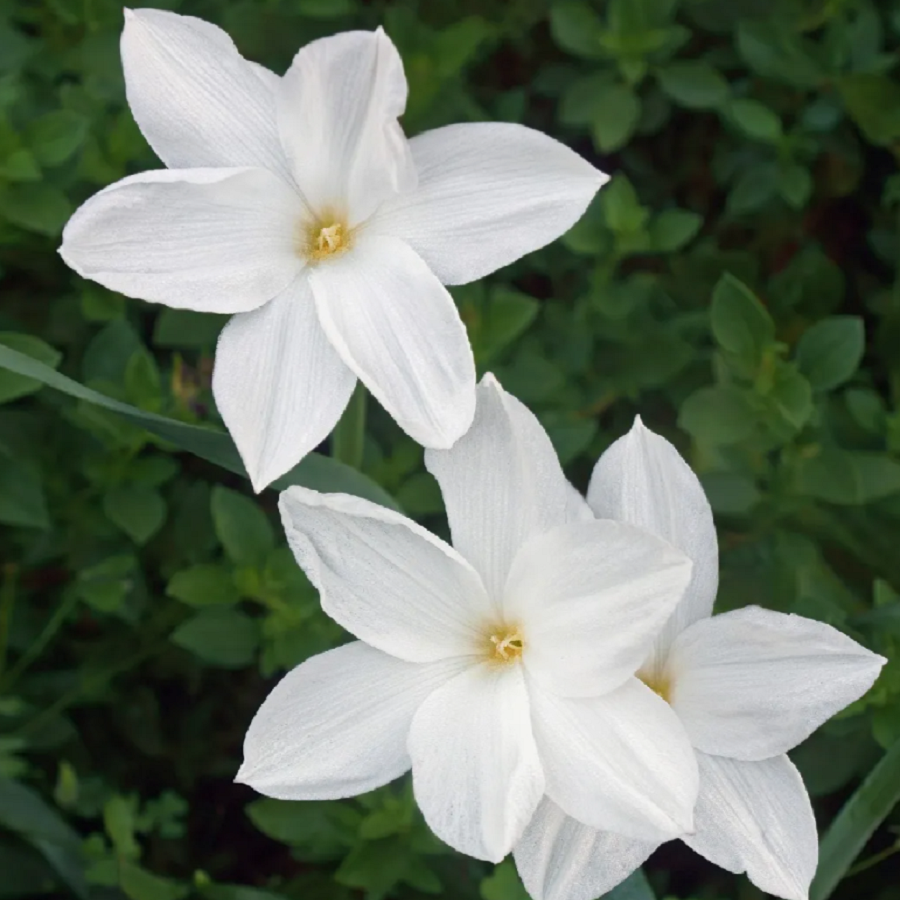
x=848 y=477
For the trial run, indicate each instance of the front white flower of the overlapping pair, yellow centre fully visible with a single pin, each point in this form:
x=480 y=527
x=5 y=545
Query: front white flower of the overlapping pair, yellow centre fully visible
x=499 y=669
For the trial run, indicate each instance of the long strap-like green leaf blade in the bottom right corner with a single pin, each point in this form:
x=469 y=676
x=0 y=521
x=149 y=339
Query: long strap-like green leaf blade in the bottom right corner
x=869 y=806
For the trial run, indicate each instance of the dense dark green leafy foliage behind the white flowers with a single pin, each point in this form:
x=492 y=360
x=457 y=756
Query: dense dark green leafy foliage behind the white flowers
x=736 y=284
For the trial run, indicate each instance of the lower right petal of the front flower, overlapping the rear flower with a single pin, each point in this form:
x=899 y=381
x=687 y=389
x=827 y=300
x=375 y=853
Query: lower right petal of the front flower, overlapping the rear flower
x=621 y=762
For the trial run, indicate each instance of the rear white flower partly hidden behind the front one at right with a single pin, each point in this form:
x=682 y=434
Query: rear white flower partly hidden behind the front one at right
x=748 y=685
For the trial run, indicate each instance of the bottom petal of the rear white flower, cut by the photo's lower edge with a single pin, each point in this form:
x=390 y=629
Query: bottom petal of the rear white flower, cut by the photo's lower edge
x=559 y=858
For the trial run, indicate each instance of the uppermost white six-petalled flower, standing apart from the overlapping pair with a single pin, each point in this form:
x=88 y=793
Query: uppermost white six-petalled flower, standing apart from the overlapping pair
x=298 y=204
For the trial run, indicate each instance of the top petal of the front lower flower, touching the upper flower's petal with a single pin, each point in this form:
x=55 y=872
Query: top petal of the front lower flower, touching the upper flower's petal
x=501 y=482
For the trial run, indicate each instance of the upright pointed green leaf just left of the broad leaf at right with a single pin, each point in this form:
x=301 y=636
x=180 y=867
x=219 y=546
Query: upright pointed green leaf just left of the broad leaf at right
x=741 y=325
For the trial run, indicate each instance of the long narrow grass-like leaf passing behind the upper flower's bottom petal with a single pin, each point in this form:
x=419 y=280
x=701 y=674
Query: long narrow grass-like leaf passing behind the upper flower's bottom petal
x=315 y=471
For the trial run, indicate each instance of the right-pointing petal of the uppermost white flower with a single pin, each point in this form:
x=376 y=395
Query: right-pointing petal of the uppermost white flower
x=488 y=193
